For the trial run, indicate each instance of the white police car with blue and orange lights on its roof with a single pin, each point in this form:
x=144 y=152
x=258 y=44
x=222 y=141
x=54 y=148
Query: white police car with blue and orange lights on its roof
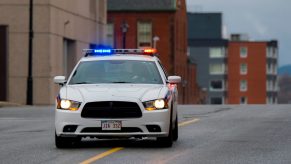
x=117 y=93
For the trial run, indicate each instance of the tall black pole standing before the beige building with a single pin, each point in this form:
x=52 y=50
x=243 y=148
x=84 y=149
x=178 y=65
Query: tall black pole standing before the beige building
x=29 y=92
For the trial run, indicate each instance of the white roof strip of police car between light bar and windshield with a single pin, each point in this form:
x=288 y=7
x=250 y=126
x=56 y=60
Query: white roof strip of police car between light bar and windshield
x=120 y=57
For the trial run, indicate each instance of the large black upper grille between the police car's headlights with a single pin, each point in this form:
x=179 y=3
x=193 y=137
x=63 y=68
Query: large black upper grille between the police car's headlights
x=111 y=109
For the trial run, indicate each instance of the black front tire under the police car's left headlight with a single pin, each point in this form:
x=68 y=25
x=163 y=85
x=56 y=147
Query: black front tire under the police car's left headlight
x=66 y=142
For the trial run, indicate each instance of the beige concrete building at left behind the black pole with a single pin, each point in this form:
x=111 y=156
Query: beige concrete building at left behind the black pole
x=62 y=28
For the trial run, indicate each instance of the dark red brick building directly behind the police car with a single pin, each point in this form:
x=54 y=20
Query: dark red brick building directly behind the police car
x=135 y=24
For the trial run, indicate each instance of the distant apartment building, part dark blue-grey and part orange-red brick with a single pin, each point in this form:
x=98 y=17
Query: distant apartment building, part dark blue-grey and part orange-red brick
x=235 y=71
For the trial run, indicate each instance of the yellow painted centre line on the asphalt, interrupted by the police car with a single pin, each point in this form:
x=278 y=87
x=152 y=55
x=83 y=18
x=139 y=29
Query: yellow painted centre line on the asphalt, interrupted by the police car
x=113 y=150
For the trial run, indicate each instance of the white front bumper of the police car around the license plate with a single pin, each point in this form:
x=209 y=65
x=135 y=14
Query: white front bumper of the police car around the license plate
x=160 y=118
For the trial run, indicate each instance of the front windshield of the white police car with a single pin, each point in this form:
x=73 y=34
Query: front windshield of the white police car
x=116 y=71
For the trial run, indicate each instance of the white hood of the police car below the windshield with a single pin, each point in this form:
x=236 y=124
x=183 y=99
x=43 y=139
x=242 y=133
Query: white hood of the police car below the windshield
x=112 y=92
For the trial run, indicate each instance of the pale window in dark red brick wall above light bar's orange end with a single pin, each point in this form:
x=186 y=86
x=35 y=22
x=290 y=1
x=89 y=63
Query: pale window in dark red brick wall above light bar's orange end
x=144 y=34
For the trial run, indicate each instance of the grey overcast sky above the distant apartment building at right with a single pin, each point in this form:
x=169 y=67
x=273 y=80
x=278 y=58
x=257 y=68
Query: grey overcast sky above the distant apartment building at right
x=260 y=19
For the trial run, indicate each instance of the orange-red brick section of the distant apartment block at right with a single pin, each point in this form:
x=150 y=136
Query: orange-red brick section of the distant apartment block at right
x=252 y=72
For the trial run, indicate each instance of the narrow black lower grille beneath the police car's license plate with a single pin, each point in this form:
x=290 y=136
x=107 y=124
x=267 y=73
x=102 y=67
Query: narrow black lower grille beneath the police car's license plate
x=99 y=130
